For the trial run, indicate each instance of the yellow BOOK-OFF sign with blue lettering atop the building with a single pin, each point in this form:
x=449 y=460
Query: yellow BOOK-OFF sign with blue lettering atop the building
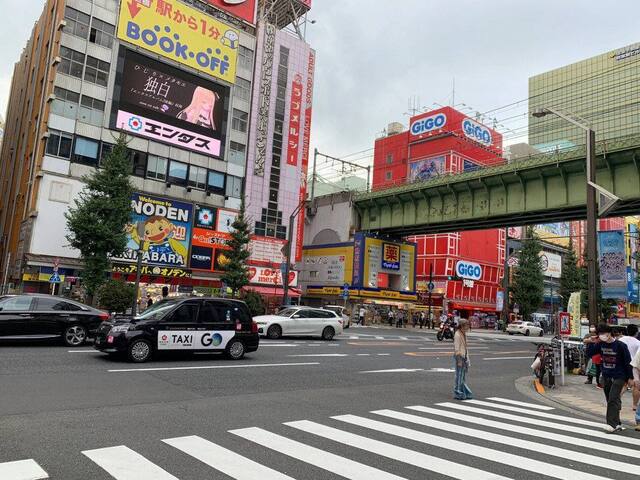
x=180 y=33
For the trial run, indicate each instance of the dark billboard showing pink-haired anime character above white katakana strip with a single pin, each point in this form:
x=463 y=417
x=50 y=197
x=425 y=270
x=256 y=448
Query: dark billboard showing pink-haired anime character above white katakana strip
x=159 y=102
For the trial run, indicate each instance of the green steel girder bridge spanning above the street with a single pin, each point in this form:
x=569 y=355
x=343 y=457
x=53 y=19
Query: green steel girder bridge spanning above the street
x=543 y=188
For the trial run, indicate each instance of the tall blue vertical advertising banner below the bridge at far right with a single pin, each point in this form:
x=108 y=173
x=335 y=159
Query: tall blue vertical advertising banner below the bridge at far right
x=613 y=268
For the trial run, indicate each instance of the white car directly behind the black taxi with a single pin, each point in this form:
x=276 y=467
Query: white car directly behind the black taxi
x=300 y=321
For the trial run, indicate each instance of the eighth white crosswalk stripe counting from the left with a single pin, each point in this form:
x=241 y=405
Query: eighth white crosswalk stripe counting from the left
x=510 y=427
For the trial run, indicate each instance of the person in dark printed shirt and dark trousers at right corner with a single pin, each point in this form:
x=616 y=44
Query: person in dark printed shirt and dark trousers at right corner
x=617 y=372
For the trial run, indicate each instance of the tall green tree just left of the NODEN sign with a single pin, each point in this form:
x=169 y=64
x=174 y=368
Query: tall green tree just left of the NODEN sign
x=96 y=222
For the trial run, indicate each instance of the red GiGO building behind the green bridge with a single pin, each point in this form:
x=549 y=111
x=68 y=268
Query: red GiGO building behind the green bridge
x=464 y=269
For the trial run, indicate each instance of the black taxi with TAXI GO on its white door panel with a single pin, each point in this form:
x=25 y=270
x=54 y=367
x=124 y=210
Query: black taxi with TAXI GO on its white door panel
x=182 y=324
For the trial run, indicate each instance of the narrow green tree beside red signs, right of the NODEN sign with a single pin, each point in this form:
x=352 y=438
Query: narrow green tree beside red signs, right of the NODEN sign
x=236 y=273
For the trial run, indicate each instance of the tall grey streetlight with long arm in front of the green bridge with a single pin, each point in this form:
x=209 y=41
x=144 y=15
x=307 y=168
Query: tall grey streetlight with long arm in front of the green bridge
x=592 y=215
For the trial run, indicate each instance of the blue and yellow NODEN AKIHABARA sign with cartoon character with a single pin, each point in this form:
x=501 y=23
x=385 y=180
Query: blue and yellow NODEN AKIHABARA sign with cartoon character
x=161 y=229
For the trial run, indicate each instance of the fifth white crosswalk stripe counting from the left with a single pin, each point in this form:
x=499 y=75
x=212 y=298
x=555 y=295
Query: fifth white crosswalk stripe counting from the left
x=411 y=457
